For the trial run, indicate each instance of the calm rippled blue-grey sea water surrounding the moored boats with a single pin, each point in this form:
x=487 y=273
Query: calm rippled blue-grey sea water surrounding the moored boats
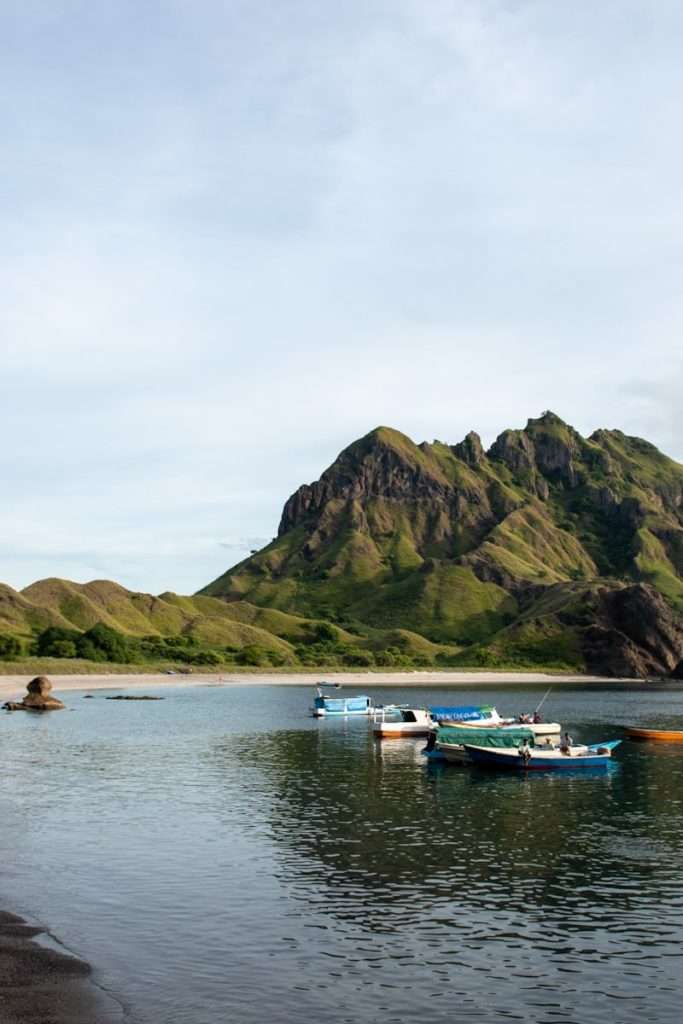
x=222 y=857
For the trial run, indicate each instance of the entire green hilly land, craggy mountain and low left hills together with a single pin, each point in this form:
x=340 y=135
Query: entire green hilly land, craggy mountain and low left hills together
x=549 y=550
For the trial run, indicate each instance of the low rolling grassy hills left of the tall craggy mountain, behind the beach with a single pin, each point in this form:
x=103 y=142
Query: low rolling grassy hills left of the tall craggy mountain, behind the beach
x=198 y=630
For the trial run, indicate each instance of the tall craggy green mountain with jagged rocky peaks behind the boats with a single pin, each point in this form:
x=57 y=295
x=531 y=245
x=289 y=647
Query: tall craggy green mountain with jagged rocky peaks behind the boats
x=549 y=548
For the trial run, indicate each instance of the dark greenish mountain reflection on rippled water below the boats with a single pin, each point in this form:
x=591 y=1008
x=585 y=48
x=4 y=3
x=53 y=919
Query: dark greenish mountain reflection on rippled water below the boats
x=375 y=816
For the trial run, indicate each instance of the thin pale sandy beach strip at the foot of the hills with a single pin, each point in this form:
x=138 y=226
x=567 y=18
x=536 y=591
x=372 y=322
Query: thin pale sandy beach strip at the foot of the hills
x=15 y=687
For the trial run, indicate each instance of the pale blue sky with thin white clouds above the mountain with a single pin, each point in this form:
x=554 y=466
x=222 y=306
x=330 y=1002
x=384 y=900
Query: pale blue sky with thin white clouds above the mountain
x=238 y=236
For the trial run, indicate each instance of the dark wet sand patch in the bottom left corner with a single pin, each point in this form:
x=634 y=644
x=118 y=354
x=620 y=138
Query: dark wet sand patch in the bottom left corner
x=41 y=986
